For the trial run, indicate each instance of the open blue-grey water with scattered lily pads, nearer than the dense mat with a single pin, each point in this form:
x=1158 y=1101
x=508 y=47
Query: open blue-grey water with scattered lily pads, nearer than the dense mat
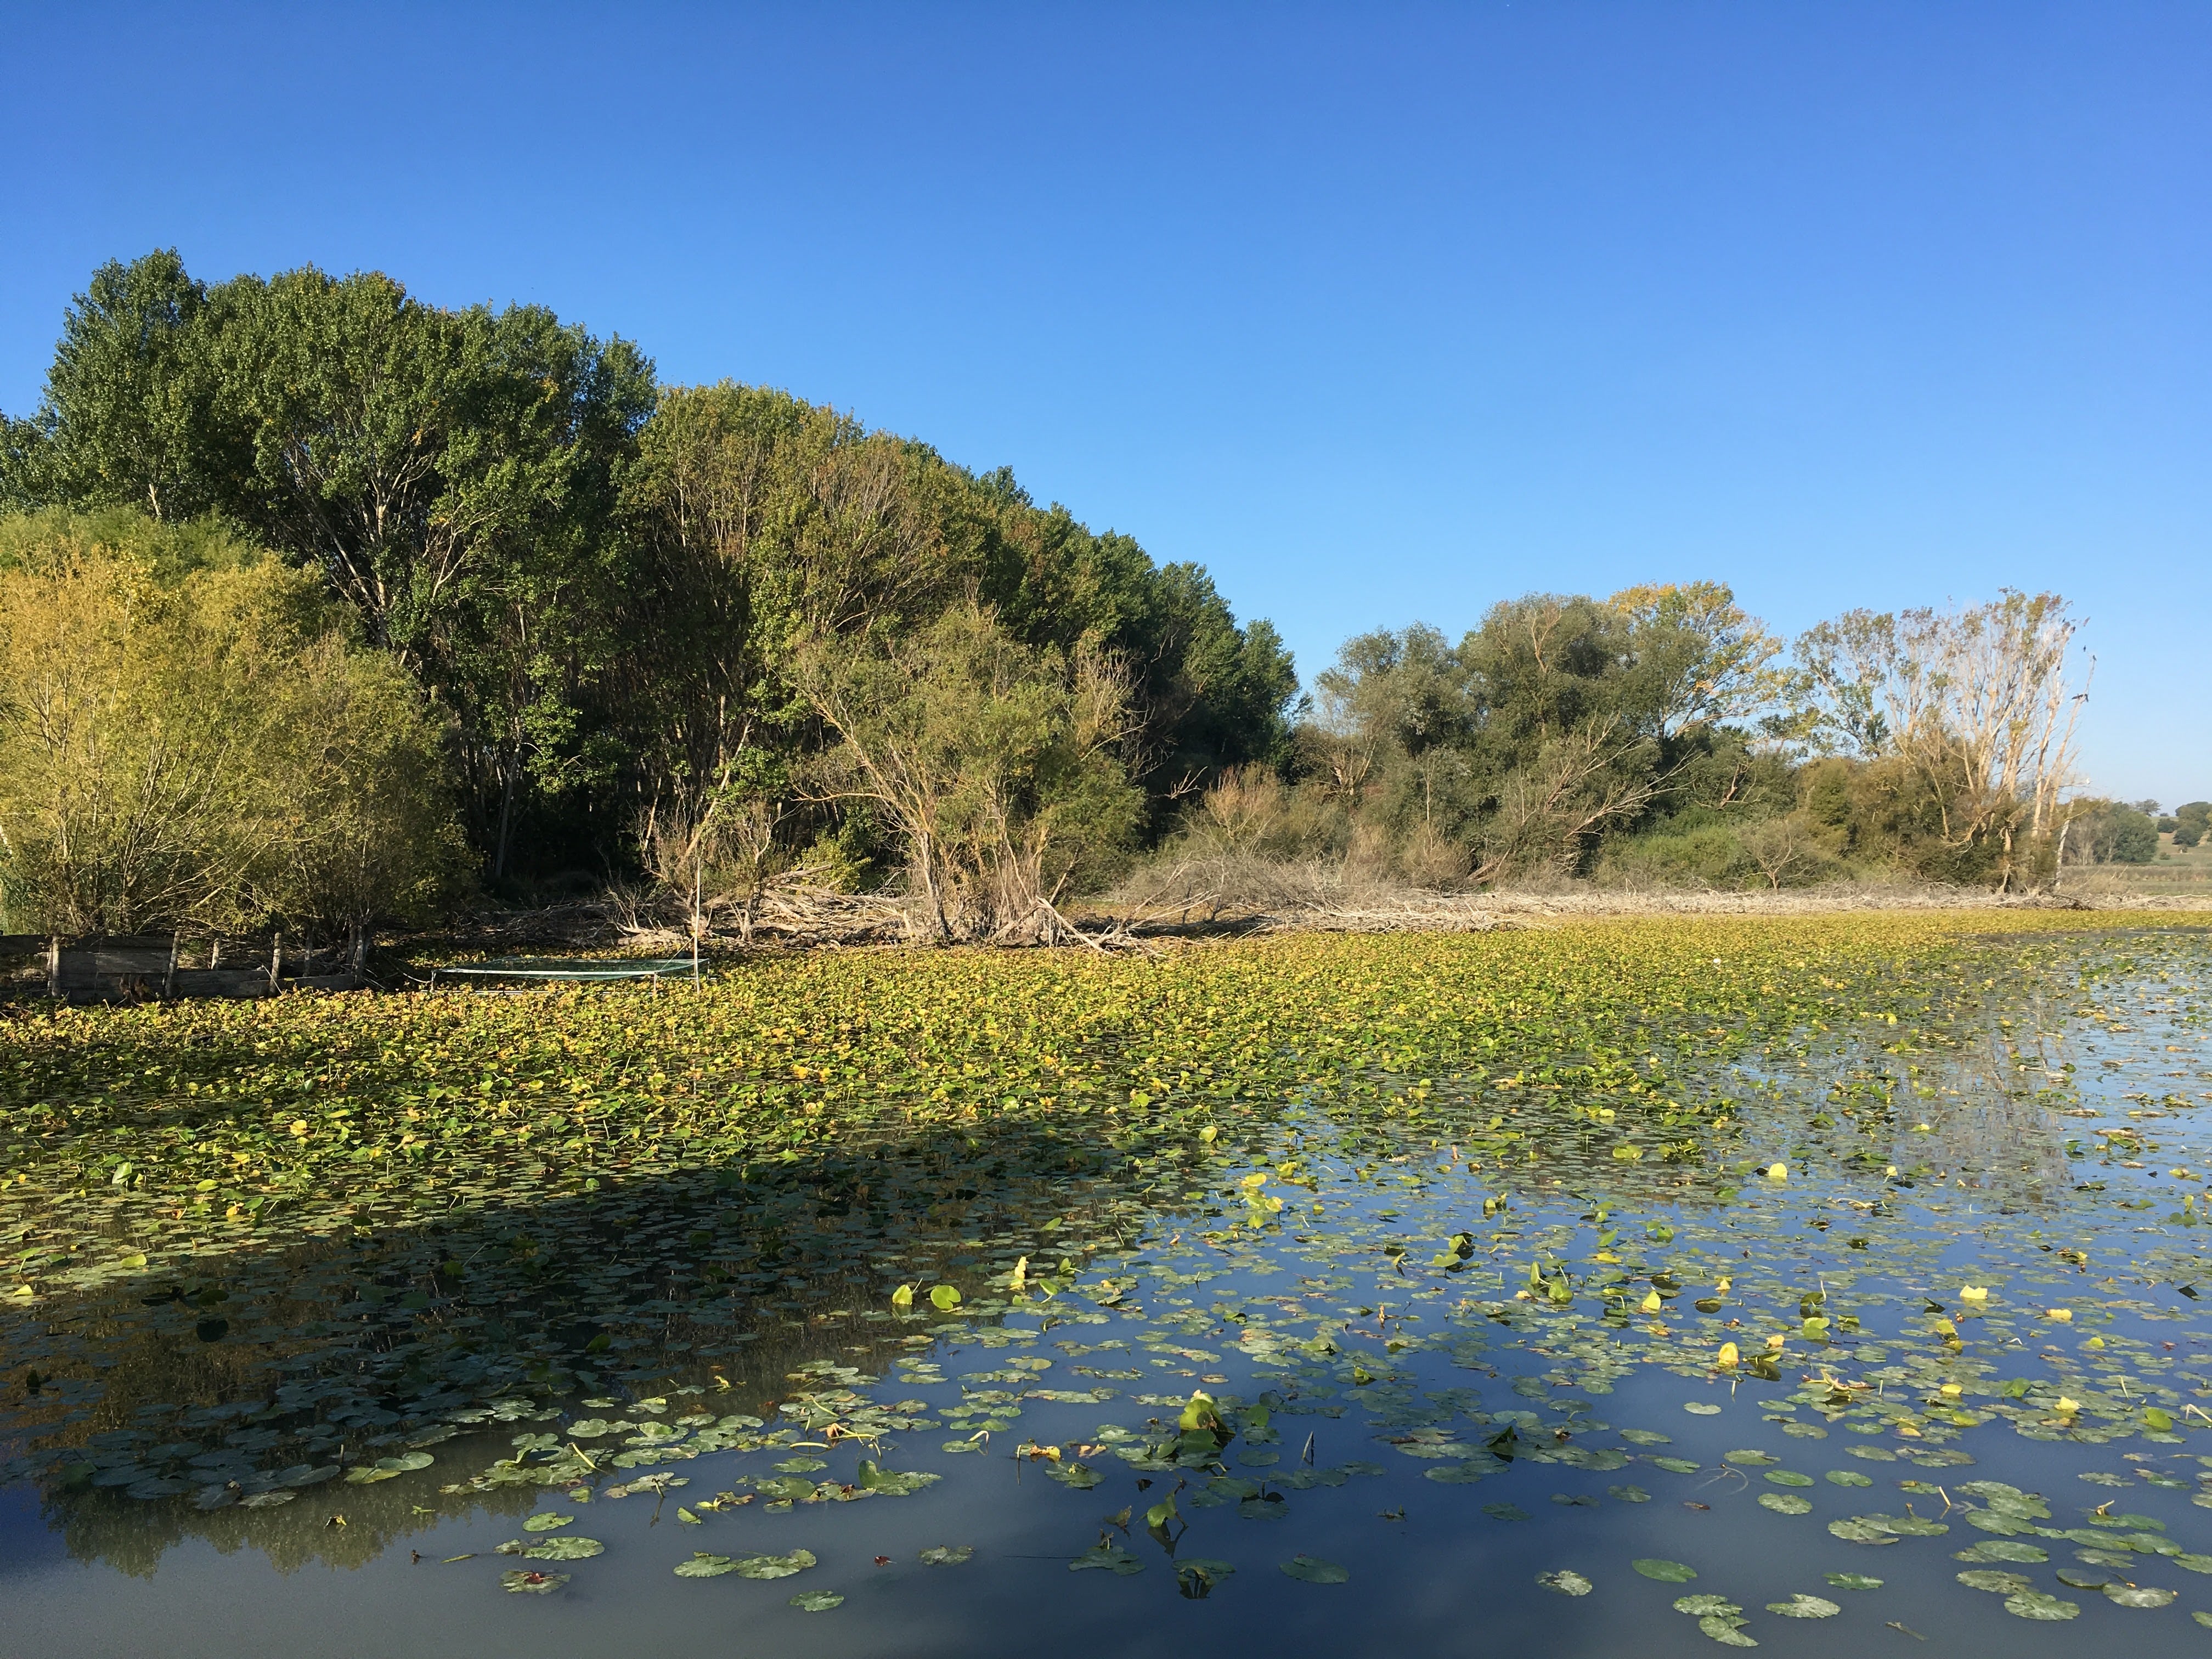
x=1463 y=1379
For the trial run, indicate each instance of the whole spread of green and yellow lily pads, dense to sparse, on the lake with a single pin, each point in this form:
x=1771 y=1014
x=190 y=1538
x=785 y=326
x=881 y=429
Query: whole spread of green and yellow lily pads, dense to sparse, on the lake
x=1879 y=1196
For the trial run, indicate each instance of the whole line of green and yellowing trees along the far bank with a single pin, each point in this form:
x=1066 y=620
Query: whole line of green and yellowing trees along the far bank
x=393 y=601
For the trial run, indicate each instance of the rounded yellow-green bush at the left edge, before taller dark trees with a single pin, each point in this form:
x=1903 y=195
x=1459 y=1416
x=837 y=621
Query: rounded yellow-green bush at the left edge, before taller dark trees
x=189 y=735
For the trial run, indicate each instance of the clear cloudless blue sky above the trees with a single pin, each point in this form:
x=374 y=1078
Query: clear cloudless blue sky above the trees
x=1379 y=313
